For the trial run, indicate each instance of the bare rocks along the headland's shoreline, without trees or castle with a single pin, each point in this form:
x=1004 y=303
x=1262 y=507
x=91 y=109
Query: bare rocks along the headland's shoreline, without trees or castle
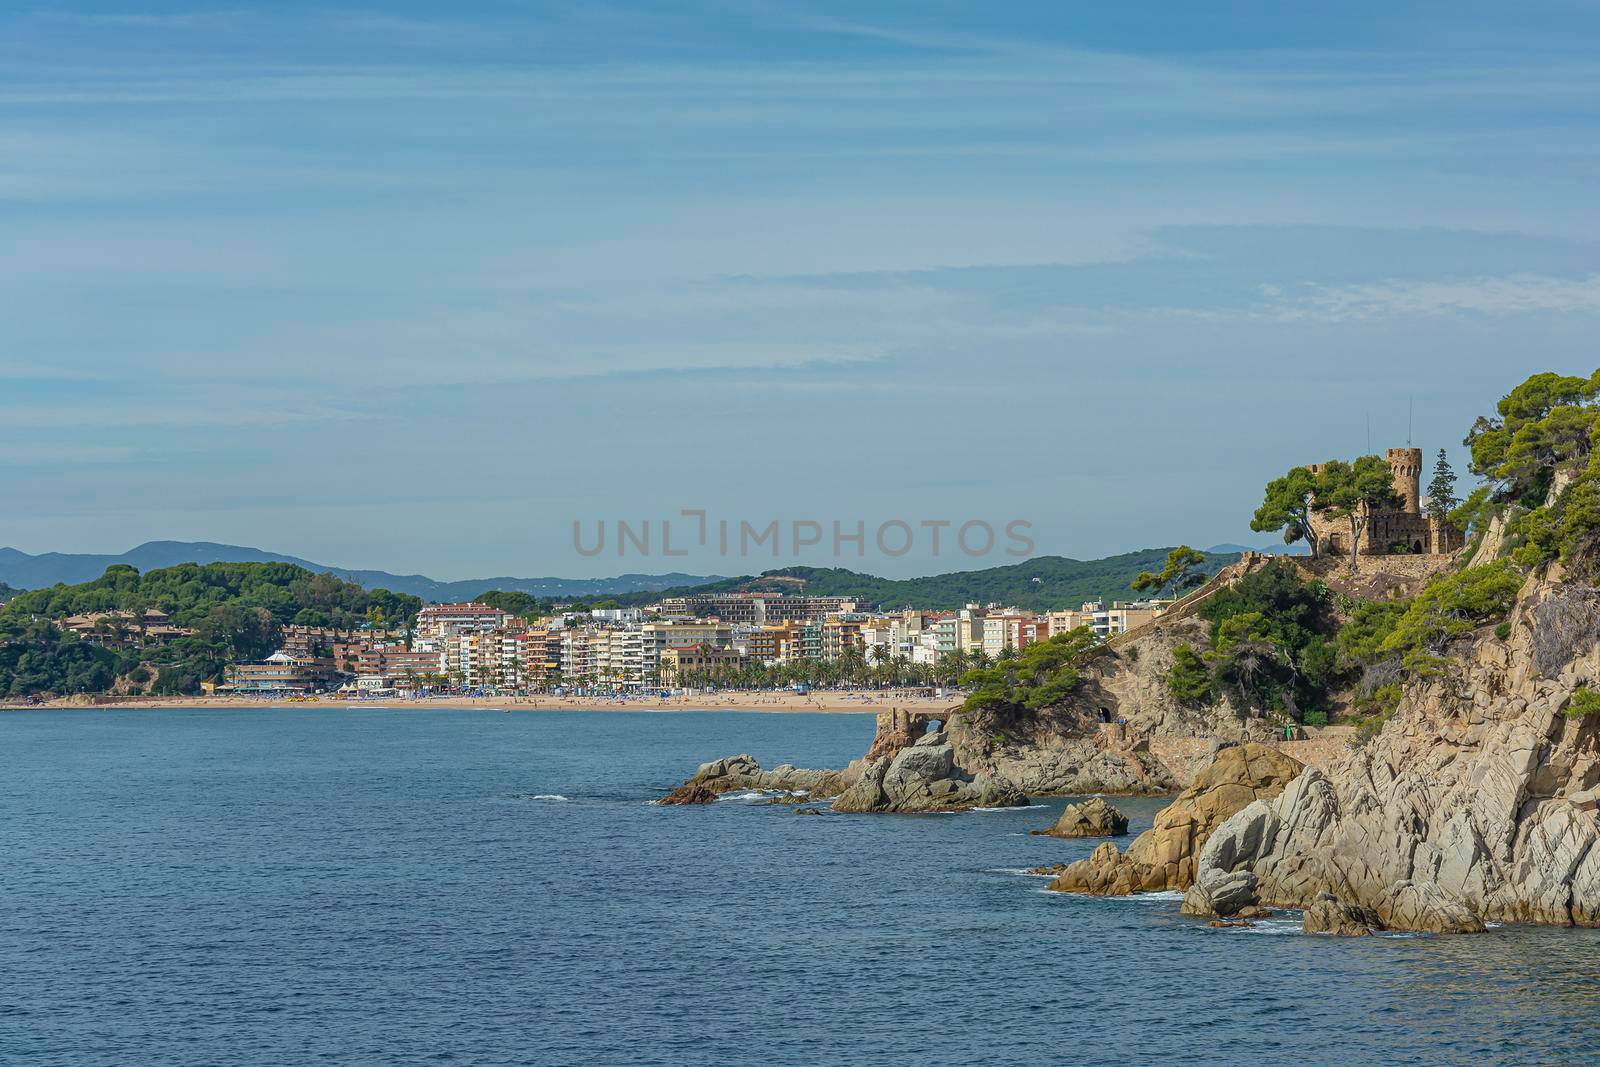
x=1476 y=804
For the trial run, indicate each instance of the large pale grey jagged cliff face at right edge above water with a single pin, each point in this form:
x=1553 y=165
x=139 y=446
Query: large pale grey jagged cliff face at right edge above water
x=1476 y=802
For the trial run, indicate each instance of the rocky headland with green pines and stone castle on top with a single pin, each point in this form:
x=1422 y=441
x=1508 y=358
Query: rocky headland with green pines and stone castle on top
x=1457 y=652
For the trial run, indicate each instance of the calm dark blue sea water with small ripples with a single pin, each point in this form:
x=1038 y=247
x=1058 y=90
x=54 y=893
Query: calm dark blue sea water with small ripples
x=380 y=887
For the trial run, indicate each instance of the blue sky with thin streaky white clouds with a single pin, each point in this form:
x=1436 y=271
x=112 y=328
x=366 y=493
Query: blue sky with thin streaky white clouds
x=418 y=286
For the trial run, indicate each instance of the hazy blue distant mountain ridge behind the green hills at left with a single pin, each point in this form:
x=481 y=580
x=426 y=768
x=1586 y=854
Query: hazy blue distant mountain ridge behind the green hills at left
x=49 y=569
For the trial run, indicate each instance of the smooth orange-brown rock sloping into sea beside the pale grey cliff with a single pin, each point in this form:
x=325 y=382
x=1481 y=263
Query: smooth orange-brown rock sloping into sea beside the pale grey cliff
x=1166 y=857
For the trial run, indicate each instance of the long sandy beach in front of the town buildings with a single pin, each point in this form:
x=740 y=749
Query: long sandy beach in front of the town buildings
x=834 y=703
